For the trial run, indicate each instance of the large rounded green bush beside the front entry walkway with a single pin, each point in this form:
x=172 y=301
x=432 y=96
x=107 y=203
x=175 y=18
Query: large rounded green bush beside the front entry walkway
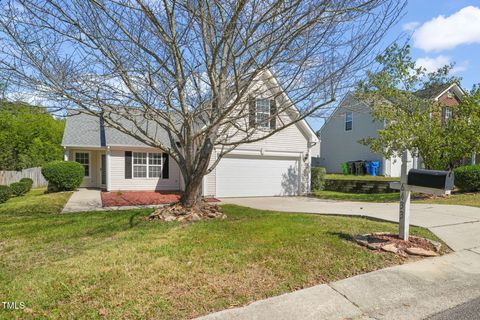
x=63 y=175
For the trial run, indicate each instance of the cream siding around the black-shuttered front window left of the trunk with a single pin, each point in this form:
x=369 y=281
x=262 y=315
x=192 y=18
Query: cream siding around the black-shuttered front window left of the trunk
x=117 y=173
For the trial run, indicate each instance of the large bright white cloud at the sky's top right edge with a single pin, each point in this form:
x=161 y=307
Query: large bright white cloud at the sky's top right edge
x=462 y=27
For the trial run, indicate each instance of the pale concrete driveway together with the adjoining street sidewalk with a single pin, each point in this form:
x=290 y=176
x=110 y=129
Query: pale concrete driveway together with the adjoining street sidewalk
x=411 y=291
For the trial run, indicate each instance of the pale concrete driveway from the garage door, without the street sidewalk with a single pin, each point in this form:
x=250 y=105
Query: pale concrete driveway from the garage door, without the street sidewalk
x=458 y=226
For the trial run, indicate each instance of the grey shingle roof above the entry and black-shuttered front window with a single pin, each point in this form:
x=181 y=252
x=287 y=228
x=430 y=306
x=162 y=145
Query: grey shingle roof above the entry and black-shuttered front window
x=84 y=130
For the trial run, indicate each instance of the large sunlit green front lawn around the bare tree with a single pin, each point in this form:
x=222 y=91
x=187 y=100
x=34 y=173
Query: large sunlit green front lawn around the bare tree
x=117 y=265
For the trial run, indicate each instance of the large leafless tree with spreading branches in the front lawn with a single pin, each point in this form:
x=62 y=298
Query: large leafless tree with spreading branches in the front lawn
x=190 y=66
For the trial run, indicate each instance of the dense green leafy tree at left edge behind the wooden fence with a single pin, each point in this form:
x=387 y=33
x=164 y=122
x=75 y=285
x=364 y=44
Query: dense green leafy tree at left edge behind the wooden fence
x=29 y=136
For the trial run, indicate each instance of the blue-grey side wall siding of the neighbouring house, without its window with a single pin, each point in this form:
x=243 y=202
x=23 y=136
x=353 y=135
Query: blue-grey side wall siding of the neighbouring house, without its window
x=338 y=146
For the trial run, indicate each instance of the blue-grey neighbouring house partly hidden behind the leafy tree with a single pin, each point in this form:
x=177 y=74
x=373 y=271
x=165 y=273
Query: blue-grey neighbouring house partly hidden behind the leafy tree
x=352 y=121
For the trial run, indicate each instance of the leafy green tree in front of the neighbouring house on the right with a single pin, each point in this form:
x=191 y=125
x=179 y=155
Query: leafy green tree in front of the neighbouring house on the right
x=413 y=121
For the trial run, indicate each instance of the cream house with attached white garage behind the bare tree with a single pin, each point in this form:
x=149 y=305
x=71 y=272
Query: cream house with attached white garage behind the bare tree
x=114 y=161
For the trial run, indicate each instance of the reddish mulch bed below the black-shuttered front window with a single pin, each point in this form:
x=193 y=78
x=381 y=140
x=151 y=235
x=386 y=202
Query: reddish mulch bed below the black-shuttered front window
x=139 y=198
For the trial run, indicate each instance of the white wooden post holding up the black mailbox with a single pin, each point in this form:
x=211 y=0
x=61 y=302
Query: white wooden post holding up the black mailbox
x=404 y=218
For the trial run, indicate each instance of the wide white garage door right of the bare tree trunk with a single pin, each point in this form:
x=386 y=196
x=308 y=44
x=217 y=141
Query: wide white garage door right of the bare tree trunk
x=242 y=176
